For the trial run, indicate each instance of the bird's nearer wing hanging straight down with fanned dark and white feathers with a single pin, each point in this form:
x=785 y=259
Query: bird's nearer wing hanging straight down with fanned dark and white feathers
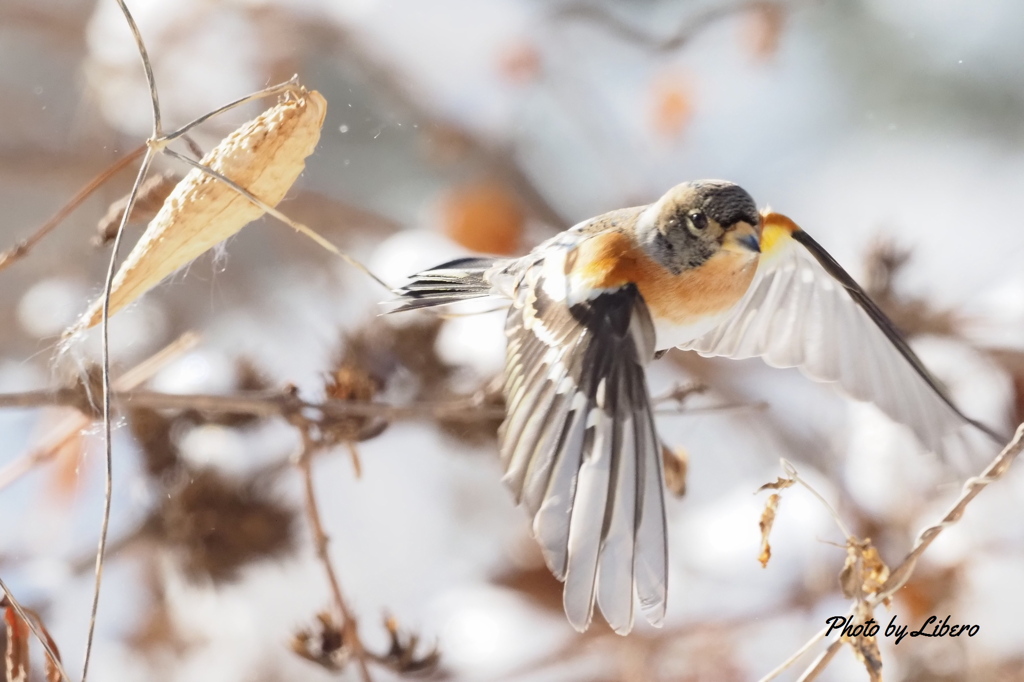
x=580 y=448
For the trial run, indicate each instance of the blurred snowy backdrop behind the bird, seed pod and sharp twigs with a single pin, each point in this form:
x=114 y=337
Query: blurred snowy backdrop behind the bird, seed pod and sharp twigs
x=881 y=127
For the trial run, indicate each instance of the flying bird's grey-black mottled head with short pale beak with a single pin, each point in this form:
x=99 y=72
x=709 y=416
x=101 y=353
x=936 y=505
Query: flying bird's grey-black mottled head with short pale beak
x=695 y=222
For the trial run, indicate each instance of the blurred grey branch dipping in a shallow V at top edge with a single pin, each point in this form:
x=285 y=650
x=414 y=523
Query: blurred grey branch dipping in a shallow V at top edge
x=684 y=34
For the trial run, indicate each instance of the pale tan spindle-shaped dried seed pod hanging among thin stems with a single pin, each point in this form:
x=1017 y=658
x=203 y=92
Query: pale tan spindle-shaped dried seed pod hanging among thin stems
x=266 y=156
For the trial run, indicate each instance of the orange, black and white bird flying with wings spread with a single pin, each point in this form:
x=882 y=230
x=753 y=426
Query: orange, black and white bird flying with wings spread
x=703 y=270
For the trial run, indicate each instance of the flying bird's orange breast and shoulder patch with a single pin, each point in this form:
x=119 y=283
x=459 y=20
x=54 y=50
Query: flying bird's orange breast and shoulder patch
x=611 y=261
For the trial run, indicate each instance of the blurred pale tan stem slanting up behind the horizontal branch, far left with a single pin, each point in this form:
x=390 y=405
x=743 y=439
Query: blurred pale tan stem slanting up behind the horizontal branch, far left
x=68 y=430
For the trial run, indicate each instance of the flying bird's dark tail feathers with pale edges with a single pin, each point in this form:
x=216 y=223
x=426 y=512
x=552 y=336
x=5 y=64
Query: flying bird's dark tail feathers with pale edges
x=455 y=281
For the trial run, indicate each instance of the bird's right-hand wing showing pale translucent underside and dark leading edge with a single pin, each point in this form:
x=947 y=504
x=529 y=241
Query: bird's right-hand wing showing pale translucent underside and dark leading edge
x=804 y=311
